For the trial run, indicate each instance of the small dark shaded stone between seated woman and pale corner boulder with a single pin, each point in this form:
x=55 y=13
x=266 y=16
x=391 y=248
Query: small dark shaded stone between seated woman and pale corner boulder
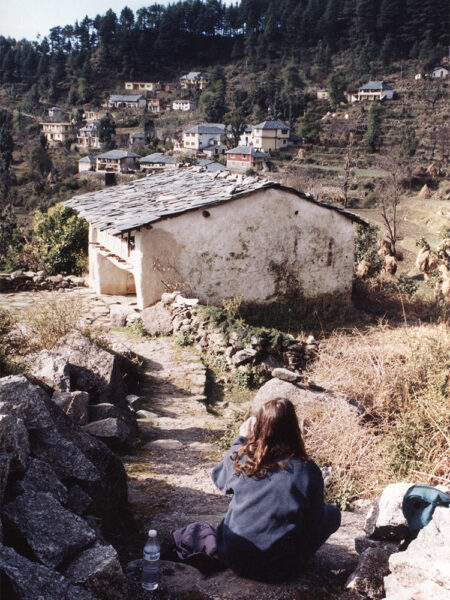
x=367 y=578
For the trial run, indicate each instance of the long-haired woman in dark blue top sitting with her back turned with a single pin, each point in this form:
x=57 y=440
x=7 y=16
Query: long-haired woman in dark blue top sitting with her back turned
x=277 y=518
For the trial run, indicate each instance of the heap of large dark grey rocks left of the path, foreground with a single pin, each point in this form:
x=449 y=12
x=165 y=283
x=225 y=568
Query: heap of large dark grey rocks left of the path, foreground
x=55 y=482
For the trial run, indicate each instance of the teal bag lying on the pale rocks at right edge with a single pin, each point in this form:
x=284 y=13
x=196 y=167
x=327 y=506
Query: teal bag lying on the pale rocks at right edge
x=419 y=503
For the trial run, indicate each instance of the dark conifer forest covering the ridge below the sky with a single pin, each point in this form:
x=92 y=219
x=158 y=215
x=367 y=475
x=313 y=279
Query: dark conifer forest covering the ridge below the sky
x=160 y=41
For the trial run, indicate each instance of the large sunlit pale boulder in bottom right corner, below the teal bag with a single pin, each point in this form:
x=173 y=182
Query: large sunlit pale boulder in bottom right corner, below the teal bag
x=427 y=558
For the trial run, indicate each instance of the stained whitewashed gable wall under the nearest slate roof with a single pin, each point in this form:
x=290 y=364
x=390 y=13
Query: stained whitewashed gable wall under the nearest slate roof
x=271 y=245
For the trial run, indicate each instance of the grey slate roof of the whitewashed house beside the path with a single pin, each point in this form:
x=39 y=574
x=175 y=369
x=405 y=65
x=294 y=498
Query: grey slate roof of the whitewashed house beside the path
x=131 y=205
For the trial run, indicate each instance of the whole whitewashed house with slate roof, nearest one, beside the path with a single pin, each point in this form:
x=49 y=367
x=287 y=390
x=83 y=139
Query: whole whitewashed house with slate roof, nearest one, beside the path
x=216 y=238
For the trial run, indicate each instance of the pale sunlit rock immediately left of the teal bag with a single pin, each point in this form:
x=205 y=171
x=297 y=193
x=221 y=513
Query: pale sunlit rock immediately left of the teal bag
x=385 y=519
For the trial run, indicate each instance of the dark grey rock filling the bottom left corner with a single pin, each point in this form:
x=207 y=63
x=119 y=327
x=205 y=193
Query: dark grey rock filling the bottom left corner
x=32 y=581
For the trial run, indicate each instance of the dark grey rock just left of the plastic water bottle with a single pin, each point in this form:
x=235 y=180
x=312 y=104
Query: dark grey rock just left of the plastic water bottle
x=98 y=570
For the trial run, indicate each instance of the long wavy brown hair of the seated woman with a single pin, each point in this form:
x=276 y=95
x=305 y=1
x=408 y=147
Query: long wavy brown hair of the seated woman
x=275 y=439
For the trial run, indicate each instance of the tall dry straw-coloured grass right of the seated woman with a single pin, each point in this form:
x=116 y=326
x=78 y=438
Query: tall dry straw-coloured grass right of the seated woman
x=401 y=376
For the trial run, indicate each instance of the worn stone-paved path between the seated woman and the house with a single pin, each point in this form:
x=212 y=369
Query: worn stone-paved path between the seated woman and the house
x=169 y=477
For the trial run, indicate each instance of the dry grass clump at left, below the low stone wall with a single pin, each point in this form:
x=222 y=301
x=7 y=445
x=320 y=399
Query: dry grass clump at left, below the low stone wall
x=49 y=319
